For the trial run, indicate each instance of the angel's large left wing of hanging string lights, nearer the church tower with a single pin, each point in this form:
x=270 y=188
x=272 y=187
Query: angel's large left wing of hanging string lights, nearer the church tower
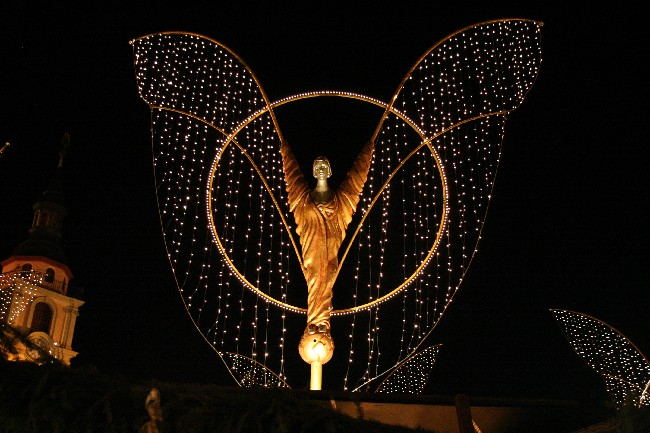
x=220 y=192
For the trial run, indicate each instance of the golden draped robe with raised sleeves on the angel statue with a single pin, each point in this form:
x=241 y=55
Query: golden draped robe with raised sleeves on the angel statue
x=321 y=228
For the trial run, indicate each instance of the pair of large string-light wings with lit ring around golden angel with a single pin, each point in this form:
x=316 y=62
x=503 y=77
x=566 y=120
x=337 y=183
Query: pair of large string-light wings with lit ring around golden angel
x=230 y=237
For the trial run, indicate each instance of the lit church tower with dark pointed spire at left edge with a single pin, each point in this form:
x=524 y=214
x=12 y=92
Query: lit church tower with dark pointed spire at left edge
x=36 y=298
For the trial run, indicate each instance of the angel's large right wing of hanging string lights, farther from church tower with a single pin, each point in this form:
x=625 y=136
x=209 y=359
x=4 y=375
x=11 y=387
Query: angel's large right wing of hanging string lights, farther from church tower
x=437 y=149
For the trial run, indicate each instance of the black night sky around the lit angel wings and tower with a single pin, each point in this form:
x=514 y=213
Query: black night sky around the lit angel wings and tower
x=567 y=226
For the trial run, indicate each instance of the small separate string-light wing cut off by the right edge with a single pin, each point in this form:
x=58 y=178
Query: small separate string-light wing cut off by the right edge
x=624 y=368
